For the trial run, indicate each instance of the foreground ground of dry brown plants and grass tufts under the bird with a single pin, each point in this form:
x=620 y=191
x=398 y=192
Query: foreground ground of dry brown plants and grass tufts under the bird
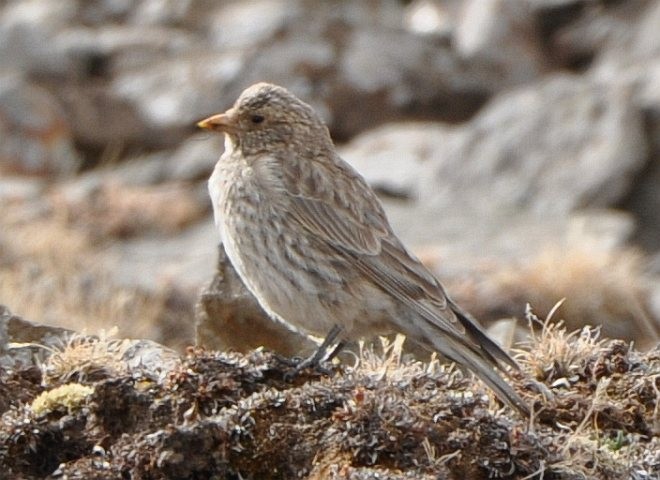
x=228 y=415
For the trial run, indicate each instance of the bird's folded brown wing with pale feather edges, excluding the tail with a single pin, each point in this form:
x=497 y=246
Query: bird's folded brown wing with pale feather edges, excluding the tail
x=348 y=217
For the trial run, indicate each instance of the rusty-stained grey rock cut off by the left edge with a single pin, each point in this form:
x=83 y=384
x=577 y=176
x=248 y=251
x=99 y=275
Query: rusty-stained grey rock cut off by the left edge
x=36 y=137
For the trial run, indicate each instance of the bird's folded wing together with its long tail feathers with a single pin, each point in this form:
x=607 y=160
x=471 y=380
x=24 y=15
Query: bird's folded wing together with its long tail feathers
x=346 y=215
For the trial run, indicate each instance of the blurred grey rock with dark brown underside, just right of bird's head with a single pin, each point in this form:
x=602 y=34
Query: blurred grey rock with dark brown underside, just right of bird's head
x=395 y=74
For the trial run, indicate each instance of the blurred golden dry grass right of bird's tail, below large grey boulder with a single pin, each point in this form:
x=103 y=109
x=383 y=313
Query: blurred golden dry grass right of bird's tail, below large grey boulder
x=600 y=287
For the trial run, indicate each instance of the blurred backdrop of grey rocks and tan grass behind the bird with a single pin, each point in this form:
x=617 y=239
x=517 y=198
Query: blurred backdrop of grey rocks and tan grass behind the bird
x=515 y=145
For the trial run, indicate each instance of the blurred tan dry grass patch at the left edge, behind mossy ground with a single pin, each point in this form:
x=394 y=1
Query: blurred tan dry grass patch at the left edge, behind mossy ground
x=49 y=274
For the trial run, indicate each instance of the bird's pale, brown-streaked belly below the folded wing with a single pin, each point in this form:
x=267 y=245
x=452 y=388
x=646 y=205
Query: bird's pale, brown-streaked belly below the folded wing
x=295 y=278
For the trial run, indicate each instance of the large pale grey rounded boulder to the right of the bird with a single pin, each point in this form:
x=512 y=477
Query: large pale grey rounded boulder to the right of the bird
x=564 y=144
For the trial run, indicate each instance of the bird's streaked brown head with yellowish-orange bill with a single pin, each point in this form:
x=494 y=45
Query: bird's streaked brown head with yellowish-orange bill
x=267 y=117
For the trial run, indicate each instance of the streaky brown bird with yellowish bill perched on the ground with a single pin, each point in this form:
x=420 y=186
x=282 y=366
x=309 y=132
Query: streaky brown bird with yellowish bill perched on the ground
x=311 y=241
